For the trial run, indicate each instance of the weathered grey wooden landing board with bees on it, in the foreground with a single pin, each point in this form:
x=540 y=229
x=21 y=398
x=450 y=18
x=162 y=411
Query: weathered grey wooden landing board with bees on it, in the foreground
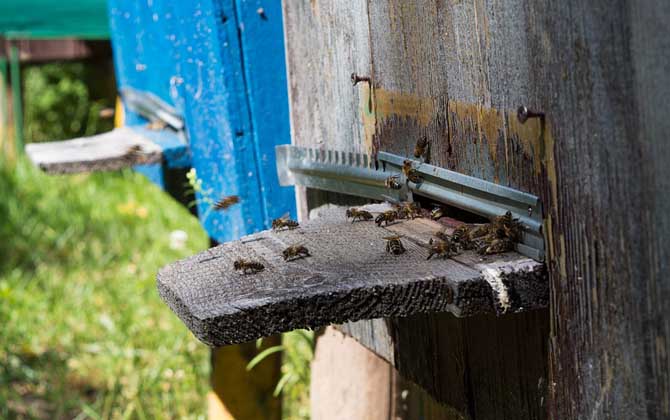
x=348 y=277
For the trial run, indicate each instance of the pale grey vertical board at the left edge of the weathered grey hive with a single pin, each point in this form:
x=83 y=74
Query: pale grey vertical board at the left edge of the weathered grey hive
x=327 y=41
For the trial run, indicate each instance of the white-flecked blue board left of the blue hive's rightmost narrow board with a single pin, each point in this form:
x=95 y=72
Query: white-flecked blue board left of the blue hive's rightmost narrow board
x=217 y=116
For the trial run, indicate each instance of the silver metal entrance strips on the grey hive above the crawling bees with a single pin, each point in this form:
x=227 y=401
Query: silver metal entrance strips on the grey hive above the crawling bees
x=358 y=174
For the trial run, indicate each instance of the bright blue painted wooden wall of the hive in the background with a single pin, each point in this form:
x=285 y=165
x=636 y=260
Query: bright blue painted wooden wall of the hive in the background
x=221 y=64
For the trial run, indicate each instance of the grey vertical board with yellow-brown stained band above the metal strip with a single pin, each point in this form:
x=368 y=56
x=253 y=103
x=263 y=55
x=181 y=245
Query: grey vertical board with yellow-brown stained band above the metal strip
x=455 y=72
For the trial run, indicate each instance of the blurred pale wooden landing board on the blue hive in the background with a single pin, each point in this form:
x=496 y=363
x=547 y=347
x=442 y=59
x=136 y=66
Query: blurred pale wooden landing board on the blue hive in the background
x=103 y=152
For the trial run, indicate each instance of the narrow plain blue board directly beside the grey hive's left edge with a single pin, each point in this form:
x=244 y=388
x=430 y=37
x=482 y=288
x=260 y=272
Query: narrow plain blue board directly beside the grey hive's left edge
x=264 y=63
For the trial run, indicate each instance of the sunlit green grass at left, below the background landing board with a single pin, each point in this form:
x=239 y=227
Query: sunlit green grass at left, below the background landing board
x=83 y=333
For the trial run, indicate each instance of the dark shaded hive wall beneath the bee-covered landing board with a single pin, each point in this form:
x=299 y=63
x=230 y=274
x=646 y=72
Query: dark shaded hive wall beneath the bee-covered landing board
x=484 y=367
